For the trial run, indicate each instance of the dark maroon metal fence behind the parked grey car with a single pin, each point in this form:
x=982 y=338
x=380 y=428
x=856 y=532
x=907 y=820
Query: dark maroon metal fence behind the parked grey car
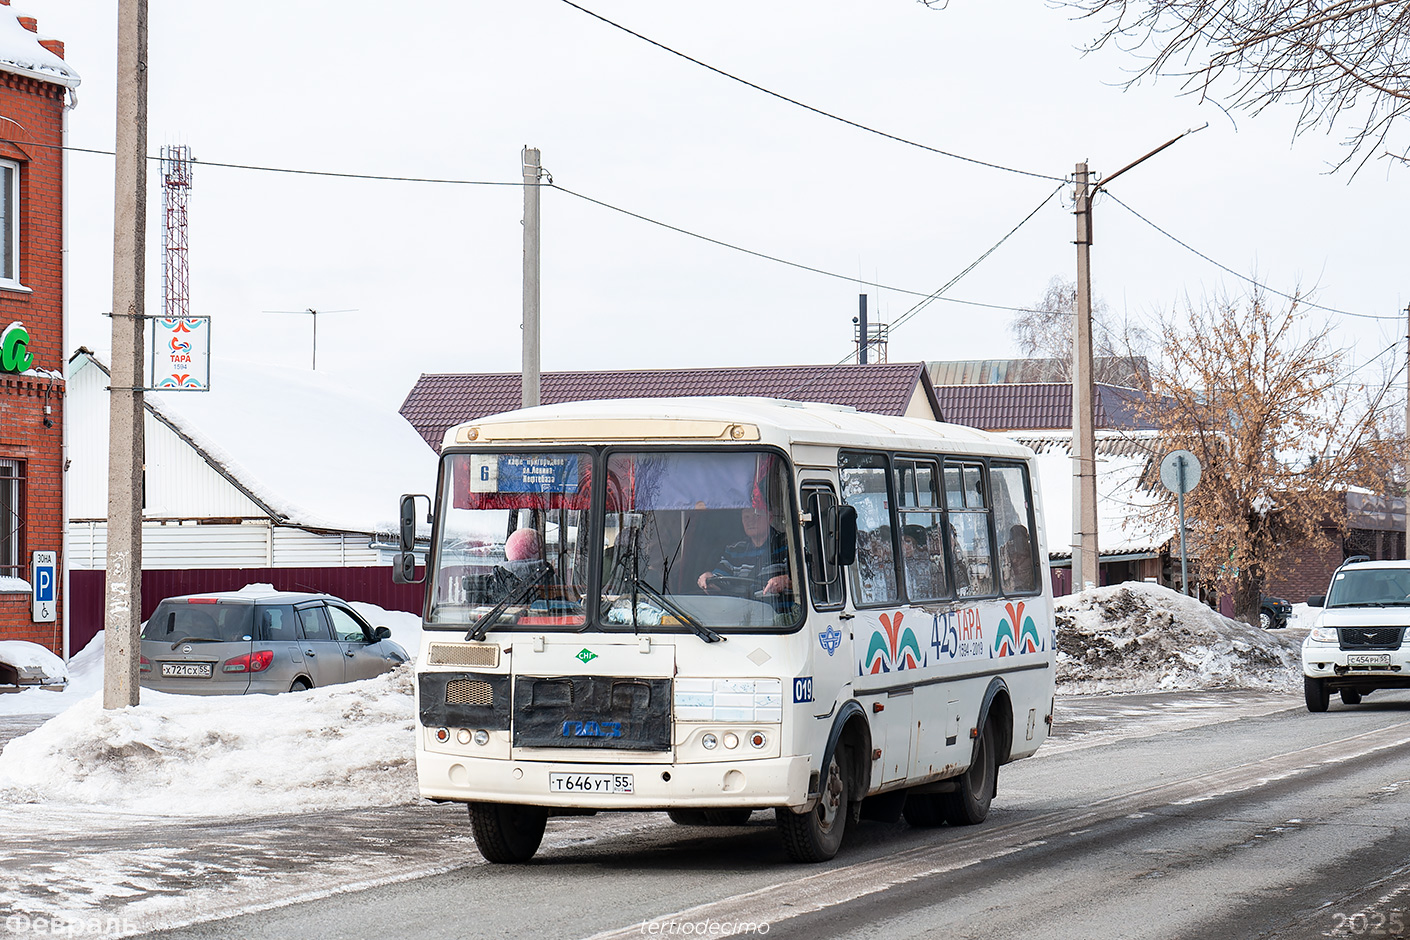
x=369 y=586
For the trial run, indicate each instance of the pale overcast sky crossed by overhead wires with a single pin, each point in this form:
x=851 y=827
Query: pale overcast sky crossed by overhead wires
x=456 y=88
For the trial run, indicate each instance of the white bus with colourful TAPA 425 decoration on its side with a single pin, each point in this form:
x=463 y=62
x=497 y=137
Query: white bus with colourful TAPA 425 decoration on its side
x=713 y=607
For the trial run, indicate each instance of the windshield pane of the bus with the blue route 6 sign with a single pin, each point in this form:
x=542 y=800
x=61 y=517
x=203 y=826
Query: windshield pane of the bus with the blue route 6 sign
x=510 y=543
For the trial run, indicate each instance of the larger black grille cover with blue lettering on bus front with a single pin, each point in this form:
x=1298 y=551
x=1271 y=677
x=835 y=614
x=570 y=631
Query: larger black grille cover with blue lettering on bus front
x=593 y=712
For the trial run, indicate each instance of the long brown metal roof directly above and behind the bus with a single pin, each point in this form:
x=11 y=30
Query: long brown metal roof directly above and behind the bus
x=439 y=402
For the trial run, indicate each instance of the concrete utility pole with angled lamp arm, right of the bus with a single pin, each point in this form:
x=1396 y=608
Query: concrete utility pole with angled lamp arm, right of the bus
x=1085 y=550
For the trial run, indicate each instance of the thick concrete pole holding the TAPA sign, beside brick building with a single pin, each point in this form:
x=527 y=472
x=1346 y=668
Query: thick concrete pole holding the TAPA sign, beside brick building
x=123 y=605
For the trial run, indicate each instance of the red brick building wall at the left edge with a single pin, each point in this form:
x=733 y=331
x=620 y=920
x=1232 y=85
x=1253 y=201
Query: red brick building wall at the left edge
x=32 y=113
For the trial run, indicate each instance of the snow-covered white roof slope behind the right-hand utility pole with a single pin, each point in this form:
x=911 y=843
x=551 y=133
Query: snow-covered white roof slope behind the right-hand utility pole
x=1122 y=500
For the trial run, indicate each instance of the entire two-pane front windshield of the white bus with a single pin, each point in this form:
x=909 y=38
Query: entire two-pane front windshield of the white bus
x=690 y=540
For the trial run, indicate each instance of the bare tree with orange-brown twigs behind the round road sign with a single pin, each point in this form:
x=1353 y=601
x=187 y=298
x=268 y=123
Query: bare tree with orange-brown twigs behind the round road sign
x=1256 y=394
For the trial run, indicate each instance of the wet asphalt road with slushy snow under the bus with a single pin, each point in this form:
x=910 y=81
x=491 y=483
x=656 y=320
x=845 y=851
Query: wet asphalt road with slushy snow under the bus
x=1194 y=815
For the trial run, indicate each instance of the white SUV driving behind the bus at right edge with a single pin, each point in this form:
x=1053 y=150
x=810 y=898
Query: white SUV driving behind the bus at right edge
x=1357 y=645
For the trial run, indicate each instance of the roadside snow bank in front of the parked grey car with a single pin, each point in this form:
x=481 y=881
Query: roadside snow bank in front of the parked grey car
x=342 y=746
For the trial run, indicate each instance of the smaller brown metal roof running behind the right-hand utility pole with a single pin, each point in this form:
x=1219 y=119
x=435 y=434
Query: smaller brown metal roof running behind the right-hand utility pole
x=1036 y=407
